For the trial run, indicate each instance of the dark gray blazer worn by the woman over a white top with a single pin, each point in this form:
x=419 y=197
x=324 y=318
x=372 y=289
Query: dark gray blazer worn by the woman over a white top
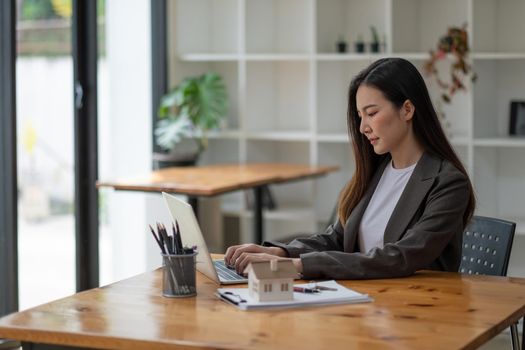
x=424 y=231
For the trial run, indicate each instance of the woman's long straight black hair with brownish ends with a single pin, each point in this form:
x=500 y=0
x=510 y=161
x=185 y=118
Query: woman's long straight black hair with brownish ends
x=399 y=81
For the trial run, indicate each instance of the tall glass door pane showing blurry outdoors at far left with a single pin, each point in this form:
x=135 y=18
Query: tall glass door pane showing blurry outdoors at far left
x=45 y=117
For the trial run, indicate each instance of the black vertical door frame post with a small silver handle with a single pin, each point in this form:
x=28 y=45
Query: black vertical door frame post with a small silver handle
x=84 y=50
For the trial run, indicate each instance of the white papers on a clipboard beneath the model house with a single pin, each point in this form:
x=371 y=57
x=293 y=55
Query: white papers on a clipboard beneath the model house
x=339 y=295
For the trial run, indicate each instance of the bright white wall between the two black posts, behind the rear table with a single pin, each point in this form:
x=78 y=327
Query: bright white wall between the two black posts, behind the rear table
x=129 y=69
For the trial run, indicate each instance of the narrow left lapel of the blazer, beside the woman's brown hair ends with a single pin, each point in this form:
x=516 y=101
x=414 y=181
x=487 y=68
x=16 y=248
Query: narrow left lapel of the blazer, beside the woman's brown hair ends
x=351 y=228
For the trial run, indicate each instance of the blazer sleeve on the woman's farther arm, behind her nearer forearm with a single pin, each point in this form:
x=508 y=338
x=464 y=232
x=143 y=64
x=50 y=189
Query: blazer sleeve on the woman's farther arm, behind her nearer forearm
x=330 y=240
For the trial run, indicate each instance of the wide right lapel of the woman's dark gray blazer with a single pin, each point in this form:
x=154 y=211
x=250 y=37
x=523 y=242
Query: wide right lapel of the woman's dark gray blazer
x=412 y=196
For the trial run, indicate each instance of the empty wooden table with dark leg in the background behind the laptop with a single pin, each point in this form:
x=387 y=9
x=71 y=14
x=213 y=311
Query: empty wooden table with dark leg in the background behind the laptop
x=212 y=180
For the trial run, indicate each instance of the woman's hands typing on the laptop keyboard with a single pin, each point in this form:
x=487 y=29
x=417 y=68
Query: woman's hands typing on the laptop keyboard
x=241 y=255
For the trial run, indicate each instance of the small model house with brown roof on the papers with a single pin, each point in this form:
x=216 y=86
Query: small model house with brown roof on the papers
x=271 y=280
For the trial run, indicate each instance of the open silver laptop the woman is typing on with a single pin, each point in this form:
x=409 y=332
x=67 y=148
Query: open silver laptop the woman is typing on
x=191 y=236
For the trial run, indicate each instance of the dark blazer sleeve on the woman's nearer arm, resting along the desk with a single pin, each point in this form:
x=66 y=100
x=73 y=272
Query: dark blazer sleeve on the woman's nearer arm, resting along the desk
x=440 y=221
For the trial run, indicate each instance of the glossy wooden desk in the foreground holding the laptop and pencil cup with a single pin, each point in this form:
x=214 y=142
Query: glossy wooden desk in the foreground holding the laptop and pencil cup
x=430 y=310
